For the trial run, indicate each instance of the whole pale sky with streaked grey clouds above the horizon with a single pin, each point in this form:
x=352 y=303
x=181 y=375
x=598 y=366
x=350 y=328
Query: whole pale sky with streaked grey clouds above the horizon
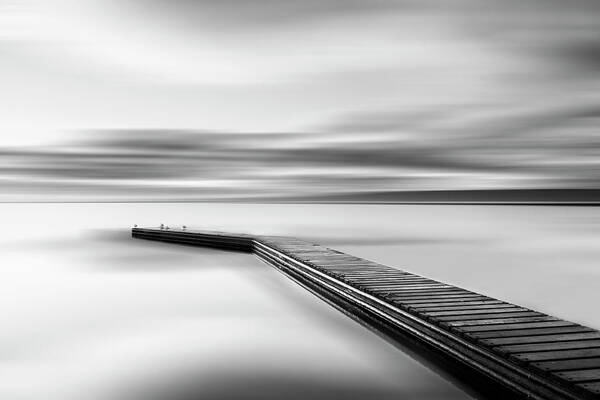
x=213 y=99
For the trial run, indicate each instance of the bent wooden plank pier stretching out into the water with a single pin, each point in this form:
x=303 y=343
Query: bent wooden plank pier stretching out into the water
x=526 y=353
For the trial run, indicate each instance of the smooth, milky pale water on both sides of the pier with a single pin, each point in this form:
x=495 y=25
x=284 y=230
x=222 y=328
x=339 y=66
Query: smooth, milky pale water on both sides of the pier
x=89 y=313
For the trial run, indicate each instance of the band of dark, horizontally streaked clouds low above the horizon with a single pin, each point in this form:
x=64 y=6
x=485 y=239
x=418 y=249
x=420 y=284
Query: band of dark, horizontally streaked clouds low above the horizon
x=555 y=148
